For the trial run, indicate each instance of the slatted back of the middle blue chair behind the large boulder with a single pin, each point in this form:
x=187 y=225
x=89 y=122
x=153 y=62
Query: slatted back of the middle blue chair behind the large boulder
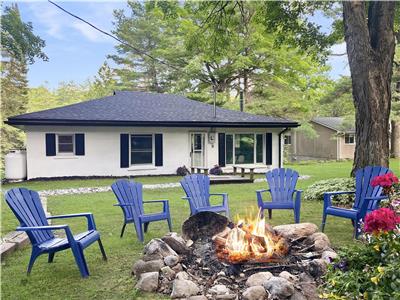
x=197 y=188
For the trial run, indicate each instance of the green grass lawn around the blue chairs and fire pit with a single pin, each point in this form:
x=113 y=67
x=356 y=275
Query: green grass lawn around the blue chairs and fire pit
x=112 y=279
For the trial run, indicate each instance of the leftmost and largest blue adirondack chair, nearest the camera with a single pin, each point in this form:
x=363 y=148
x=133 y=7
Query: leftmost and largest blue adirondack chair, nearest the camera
x=28 y=209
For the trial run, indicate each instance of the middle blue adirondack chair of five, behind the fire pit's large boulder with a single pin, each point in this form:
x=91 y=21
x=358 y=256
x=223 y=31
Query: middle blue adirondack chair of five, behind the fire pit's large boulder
x=197 y=189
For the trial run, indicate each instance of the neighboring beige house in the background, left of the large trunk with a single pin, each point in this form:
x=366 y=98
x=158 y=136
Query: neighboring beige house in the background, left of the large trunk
x=332 y=142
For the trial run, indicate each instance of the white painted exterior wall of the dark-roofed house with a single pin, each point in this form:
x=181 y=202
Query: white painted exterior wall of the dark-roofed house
x=102 y=151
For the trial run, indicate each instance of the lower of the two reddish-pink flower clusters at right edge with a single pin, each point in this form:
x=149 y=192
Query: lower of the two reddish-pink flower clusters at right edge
x=382 y=219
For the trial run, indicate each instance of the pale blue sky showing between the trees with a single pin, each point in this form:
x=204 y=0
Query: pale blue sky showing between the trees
x=76 y=51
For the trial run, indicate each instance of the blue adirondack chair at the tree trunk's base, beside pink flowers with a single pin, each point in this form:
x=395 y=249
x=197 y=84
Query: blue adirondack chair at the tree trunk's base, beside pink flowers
x=367 y=198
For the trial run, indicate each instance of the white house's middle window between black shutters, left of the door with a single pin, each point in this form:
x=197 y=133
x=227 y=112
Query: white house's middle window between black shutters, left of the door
x=141 y=149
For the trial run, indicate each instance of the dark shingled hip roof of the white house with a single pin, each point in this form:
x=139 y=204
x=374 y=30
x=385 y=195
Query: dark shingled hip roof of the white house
x=146 y=109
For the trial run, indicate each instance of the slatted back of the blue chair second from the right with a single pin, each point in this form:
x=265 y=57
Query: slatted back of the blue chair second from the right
x=282 y=183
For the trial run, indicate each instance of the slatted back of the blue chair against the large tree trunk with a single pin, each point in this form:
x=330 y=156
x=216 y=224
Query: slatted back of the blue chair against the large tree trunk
x=363 y=185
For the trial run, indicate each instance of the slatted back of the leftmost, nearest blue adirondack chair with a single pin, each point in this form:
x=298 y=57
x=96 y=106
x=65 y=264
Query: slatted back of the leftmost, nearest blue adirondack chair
x=27 y=207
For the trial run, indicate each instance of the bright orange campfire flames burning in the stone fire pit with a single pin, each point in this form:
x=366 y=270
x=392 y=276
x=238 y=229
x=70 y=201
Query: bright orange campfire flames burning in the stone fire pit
x=251 y=240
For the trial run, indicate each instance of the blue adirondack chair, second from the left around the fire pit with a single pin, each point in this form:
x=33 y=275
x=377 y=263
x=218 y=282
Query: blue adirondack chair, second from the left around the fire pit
x=130 y=198
